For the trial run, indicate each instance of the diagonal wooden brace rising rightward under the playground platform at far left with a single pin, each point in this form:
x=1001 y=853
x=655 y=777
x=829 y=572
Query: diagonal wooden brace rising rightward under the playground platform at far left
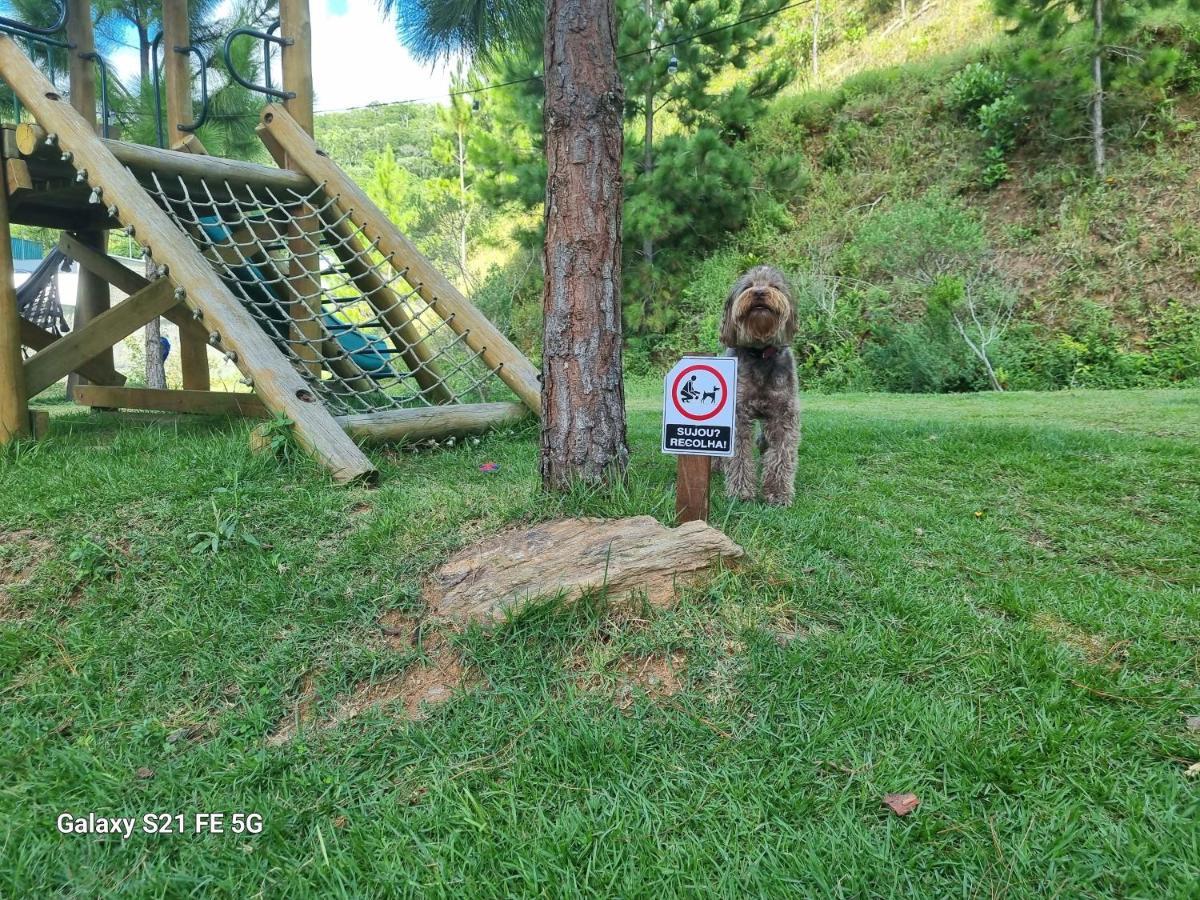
x=71 y=351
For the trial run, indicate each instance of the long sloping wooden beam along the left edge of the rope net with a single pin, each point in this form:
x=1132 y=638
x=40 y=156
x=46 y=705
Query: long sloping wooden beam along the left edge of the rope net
x=280 y=387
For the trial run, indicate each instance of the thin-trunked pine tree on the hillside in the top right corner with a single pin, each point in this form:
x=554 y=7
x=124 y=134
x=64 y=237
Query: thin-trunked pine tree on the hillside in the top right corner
x=1082 y=57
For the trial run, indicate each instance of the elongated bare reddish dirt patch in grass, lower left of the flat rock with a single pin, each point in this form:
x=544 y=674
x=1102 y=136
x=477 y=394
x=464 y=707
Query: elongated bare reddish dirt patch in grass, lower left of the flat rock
x=410 y=695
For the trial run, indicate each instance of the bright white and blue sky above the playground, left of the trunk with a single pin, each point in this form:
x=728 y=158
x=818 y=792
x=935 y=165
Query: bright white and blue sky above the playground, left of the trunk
x=357 y=59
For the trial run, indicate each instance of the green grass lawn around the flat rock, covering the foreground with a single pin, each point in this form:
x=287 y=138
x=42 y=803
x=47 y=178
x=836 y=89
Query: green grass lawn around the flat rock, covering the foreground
x=992 y=602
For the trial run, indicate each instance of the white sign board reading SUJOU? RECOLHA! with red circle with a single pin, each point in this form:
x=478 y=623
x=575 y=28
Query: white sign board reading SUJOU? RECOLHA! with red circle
x=699 y=397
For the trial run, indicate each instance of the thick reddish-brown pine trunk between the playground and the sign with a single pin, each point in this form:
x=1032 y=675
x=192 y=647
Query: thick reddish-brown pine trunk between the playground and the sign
x=583 y=397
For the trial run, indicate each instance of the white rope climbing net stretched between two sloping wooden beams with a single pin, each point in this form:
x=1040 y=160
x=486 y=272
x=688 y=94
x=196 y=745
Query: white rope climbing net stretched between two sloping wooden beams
x=346 y=317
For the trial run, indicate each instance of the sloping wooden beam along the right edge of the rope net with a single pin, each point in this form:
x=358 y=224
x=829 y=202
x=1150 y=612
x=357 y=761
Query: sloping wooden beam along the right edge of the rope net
x=482 y=335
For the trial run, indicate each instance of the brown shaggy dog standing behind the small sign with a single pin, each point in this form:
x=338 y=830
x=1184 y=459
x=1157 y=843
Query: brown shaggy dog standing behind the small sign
x=758 y=328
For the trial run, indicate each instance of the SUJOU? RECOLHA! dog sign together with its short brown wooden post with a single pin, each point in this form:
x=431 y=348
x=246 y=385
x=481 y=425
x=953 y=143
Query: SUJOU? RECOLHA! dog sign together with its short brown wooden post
x=699 y=399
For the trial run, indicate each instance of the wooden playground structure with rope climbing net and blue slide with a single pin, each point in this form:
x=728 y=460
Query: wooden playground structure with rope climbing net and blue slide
x=333 y=317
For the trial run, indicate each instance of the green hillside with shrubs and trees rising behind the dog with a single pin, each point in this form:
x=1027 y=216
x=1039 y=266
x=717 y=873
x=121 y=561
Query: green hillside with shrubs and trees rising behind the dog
x=875 y=184
